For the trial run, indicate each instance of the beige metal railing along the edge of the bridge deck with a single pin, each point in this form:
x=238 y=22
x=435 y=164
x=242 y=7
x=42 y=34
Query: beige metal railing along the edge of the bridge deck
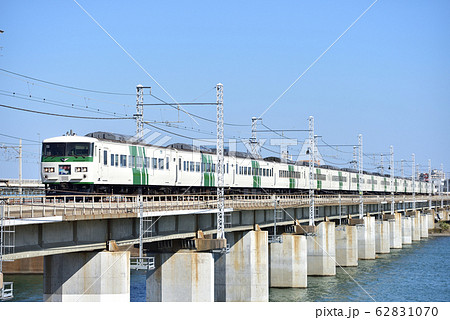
x=101 y=206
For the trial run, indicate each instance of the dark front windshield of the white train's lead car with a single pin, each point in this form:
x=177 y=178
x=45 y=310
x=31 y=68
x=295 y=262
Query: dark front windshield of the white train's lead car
x=73 y=149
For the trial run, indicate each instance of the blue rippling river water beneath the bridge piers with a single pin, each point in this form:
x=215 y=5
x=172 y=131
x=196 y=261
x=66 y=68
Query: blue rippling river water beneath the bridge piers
x=418 y=272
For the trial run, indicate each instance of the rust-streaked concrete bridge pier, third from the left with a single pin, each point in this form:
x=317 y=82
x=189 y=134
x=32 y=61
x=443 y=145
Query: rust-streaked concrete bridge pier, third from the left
x=243 y=273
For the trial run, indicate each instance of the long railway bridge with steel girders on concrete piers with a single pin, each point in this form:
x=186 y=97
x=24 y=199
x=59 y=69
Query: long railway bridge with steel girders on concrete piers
x=270 y=241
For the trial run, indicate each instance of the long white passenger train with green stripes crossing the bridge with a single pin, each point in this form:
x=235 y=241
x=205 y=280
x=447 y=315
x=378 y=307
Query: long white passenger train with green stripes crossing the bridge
x=108 y=163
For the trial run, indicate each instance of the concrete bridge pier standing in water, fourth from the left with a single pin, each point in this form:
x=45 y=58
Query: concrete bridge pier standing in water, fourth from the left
x=288 y=262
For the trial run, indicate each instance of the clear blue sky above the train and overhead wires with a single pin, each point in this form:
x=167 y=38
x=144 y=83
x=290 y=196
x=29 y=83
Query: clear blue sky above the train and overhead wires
x=387 y=78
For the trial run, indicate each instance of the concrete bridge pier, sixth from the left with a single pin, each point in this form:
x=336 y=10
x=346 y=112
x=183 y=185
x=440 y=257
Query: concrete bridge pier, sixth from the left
x=346 y=246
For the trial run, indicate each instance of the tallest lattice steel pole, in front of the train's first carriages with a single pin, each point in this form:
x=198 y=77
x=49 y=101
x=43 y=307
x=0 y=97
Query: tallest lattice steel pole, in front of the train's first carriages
x=220 y=164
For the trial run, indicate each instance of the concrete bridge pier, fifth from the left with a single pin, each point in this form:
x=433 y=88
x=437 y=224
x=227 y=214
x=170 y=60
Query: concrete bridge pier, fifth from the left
x=322 y=251
